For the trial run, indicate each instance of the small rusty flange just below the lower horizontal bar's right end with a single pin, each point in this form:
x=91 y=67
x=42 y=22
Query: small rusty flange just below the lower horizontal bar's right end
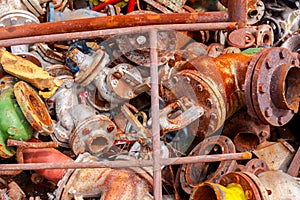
x=256 y=166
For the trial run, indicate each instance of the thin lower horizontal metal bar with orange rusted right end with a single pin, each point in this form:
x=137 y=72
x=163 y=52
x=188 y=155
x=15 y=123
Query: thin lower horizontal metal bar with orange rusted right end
x=129 y=163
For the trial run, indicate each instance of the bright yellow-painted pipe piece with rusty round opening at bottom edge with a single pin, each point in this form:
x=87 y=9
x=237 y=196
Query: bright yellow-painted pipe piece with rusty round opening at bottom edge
x=216 y=191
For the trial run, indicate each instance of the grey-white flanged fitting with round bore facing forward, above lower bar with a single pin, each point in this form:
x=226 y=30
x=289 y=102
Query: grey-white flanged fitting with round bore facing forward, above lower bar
x=93 y=133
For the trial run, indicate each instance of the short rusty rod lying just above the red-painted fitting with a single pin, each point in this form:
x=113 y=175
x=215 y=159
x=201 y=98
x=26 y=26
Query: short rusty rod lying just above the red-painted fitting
x=36 y=145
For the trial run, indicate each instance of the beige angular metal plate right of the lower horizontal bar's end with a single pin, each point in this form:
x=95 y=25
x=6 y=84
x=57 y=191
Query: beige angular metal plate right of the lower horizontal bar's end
x=277 y=155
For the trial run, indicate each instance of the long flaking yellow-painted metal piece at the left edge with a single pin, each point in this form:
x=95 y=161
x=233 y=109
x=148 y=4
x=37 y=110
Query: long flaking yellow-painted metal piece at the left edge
x=27 y=71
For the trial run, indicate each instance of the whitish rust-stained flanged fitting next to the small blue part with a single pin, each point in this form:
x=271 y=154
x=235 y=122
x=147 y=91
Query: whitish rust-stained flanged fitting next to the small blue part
x=89 y=65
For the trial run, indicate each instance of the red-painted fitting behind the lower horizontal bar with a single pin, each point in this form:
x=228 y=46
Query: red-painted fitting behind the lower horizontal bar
x=47 y=155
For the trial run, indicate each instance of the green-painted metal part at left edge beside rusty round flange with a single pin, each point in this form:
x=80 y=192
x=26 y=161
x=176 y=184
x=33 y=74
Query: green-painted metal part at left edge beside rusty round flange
x=13 y=124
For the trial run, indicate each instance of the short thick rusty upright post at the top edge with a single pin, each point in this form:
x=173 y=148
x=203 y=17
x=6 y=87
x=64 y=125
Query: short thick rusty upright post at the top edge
x=237 y=11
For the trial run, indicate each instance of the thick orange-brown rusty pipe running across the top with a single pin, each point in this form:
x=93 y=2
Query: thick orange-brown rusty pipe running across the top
x=98 y=23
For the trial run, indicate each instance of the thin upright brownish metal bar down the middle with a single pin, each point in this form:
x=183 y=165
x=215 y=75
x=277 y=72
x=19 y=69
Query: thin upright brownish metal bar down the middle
x=157 y=180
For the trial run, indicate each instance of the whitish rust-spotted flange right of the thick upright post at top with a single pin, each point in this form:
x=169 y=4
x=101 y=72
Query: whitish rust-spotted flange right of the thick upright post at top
x=256 y=10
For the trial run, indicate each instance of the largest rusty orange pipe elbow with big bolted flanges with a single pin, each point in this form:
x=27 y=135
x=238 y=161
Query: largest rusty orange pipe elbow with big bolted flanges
x=268 y=86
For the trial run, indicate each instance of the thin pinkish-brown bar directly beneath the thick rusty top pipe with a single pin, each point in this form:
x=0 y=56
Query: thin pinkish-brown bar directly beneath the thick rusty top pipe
x=108 y=32
